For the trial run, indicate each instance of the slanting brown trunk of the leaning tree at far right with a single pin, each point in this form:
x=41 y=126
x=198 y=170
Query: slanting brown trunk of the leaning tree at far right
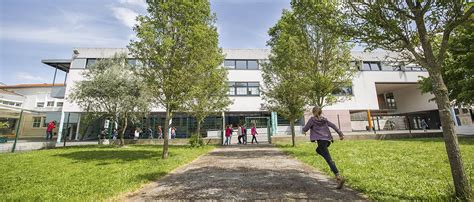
x=461 y=183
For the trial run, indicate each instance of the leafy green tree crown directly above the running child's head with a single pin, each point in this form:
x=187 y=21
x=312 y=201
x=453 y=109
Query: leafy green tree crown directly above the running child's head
x=328 y=53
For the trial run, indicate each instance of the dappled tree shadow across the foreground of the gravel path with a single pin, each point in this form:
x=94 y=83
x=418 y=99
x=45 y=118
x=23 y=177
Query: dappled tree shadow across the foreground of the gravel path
x=244 y=183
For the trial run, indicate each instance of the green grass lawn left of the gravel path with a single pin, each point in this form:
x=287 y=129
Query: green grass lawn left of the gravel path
x=86 y=173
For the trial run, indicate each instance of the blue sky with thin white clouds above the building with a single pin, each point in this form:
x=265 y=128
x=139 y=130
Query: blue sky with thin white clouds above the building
x=32 y=30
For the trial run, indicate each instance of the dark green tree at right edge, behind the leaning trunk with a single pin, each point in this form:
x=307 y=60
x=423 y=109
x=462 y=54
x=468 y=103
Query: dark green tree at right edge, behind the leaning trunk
x=458 y=72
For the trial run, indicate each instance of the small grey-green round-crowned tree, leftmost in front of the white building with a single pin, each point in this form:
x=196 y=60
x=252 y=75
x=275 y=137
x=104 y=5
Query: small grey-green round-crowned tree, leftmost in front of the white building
x=112 y=89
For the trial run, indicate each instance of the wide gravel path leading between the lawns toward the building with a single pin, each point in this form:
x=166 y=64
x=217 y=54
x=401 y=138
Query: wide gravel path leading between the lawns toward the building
x=248 y=172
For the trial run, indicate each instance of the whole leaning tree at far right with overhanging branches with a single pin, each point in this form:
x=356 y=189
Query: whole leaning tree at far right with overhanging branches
x=411 y=27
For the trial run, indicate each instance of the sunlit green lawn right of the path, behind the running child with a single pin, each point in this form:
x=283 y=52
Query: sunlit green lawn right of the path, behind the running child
x=392 y=169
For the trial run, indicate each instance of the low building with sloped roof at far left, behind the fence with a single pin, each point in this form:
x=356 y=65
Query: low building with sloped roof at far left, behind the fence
x=38 y=105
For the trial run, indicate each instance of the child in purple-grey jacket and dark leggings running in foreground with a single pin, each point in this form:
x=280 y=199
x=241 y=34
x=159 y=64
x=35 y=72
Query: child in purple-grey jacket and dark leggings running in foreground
x=321 y=134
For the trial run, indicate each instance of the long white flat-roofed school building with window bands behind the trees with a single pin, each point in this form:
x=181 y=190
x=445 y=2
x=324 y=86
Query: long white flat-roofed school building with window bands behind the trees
x=383 y=95
